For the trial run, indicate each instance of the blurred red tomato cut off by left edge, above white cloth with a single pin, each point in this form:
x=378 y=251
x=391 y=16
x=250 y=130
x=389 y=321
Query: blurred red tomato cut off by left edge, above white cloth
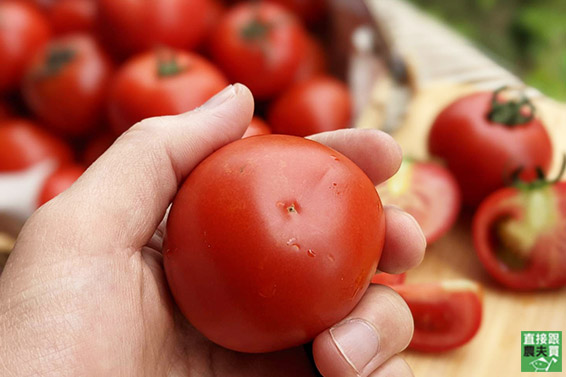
x=23 y=144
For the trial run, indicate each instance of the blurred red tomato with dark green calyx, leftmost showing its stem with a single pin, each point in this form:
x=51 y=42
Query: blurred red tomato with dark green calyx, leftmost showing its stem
x=67 y=83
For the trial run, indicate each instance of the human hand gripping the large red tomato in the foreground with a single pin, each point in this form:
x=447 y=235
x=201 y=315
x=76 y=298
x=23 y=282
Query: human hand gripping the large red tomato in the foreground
x=84 y=293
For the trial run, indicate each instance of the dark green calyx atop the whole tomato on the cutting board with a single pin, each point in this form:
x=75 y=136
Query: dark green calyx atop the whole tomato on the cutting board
x=512 y=112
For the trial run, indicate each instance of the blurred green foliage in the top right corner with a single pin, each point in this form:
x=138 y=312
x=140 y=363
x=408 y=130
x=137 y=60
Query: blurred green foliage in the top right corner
x=526 y=36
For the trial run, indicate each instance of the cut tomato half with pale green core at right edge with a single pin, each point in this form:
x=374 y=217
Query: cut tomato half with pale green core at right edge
x=520 y=234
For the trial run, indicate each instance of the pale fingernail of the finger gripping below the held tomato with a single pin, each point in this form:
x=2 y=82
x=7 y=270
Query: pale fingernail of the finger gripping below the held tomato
x=357 y=341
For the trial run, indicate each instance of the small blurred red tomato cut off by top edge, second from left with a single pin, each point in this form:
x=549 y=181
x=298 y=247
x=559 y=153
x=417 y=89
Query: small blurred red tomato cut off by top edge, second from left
x=68 y=16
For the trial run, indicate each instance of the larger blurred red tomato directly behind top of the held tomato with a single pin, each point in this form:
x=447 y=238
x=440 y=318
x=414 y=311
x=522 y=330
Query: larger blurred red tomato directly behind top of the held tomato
x=316 y=105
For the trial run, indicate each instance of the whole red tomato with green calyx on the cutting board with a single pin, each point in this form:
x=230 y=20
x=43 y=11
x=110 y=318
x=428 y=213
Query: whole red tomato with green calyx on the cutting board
x=483 y=137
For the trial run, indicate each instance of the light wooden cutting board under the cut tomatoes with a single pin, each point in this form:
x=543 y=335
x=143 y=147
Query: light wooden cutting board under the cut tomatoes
x=496 y=349
